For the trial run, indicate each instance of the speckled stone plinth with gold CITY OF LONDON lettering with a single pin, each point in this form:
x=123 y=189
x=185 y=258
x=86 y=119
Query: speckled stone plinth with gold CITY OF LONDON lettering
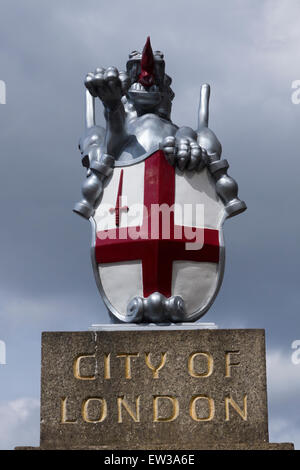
x=191 y=389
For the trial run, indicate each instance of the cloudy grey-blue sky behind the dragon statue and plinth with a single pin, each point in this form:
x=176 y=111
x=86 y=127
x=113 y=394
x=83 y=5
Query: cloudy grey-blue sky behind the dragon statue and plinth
x=248 y=50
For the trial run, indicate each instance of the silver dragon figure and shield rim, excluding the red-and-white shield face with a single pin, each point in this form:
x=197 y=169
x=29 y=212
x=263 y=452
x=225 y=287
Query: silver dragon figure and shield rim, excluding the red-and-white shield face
x=137 y=109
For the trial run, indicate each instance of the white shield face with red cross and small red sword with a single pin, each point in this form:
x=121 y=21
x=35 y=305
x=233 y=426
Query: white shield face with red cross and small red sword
x=159 y=230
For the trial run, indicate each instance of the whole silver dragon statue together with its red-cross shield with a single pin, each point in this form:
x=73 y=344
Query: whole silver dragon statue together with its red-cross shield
x=156 y=194
